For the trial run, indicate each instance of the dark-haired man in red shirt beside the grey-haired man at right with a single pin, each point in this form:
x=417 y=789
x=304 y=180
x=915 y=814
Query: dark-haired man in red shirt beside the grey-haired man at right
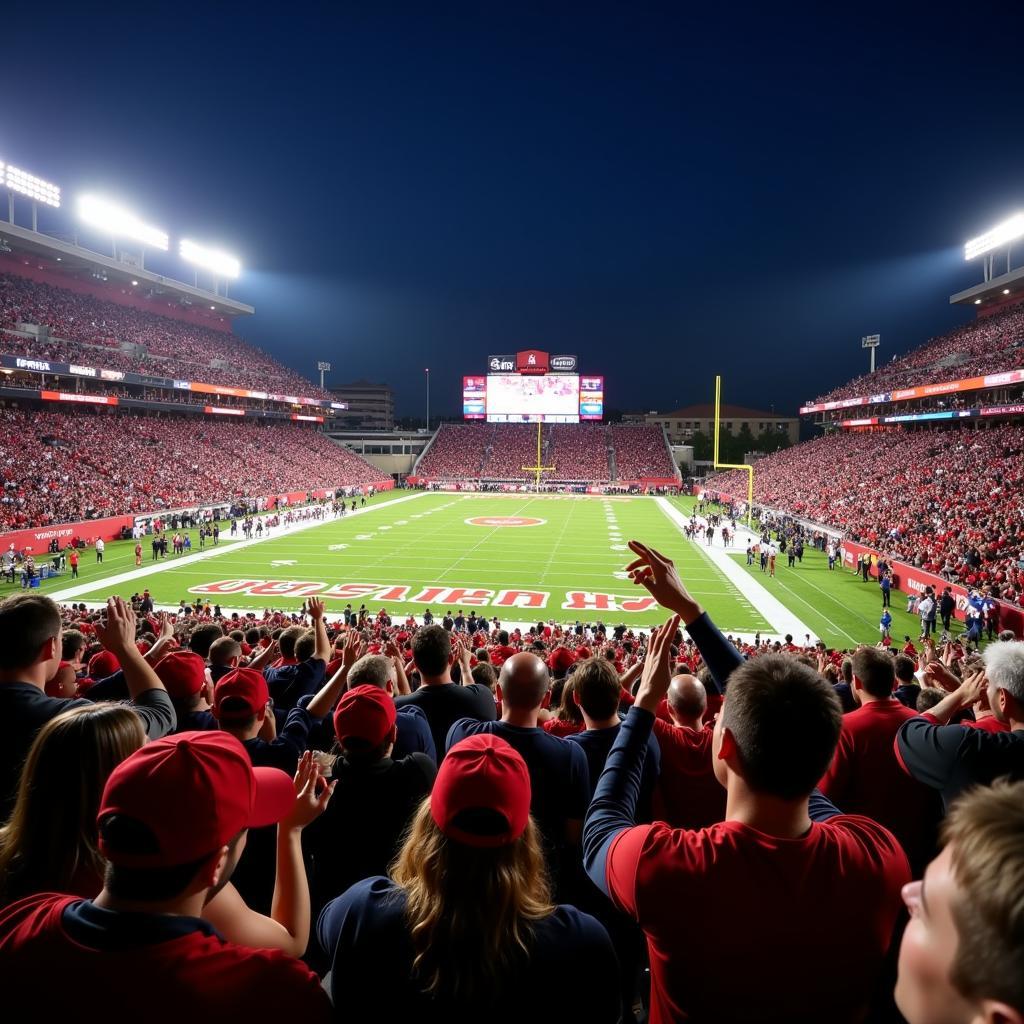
x=866 y=778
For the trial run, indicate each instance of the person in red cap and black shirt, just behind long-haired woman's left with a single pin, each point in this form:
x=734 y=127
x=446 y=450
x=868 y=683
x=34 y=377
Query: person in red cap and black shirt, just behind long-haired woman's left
x=375 y=795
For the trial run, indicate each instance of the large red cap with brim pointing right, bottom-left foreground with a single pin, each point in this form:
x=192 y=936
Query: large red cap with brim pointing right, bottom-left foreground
x=195 y=792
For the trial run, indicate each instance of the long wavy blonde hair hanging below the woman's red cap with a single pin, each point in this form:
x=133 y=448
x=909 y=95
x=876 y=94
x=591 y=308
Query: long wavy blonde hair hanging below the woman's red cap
x=471 y=911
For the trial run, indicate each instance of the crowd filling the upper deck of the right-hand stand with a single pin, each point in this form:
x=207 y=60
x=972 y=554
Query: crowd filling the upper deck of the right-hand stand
x=990 y=346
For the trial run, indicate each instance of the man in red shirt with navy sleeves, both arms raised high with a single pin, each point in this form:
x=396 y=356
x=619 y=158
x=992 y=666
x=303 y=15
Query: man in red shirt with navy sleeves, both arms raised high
x=785 y=911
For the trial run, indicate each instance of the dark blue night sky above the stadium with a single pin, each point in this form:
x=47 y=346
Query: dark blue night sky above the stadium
x=744 y=189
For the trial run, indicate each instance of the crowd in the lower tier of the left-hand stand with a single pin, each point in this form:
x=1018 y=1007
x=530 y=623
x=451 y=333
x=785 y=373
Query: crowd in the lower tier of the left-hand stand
x=69 y=466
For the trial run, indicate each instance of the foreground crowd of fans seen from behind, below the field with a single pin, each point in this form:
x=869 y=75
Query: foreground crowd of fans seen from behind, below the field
x=364 y=820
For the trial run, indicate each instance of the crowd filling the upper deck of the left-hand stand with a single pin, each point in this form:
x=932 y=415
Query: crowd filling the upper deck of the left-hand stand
x=87 y=329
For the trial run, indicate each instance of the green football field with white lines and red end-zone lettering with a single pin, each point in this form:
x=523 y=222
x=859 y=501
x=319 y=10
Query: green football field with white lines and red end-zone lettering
x=567 y=564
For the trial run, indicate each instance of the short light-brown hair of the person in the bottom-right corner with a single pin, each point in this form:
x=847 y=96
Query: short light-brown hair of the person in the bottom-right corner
x=986 y=830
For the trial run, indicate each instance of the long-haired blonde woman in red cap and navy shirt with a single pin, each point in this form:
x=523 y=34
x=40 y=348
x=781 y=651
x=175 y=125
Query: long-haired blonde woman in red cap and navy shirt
x=435 y=949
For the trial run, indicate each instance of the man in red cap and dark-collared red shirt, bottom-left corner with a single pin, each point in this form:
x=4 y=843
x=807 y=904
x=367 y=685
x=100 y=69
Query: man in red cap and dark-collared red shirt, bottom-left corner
x=173 y=824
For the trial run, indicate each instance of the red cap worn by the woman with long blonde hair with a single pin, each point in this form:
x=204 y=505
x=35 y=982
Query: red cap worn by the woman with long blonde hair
x=483 y=773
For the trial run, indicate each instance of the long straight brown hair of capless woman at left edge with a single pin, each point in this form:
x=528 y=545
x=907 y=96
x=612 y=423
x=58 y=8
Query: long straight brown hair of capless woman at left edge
x=51 y=838
